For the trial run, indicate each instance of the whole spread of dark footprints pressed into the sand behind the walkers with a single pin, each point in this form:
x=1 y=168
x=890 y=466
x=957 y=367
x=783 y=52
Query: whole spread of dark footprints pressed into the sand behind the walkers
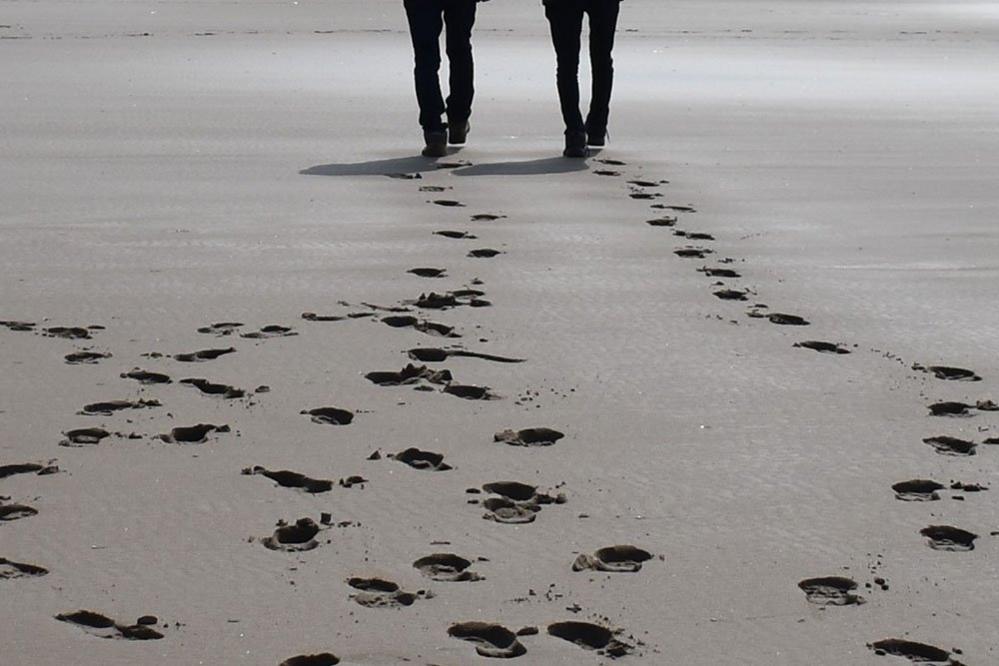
x=503 y=502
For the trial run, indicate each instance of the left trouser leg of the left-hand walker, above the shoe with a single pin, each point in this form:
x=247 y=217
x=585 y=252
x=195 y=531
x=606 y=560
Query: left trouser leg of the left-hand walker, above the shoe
x=425 y=26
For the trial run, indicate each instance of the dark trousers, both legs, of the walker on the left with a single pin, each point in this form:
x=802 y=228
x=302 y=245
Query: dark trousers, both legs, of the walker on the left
x=427 y=19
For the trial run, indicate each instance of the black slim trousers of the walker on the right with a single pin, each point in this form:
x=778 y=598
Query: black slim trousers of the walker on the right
x=566 y=20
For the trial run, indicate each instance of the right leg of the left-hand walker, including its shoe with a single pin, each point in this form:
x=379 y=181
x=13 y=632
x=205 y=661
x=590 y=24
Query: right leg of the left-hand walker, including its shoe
x=459 y=15
